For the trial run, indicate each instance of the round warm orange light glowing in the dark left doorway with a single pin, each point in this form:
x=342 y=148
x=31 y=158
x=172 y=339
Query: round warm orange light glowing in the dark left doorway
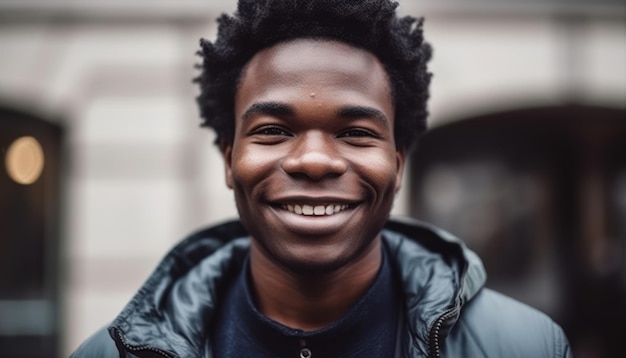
x=25 y=160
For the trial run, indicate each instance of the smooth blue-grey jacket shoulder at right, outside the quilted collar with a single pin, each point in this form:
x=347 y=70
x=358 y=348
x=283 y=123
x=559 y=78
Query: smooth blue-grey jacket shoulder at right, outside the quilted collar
x=494 y=325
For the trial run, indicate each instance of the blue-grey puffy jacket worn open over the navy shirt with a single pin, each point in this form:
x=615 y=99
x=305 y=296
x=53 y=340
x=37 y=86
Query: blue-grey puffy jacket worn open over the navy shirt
x=448 y=312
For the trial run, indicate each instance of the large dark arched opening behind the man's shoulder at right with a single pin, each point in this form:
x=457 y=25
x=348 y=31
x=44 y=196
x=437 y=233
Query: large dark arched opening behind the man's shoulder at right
x=540 y=194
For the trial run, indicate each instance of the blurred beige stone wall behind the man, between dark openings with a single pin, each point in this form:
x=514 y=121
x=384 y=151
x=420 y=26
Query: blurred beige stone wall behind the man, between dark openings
x=140 y=173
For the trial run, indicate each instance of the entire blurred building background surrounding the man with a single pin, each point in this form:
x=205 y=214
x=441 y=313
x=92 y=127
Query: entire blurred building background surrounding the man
x=104 y=168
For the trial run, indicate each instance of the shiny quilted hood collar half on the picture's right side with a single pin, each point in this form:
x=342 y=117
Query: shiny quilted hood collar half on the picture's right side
x=439 y=275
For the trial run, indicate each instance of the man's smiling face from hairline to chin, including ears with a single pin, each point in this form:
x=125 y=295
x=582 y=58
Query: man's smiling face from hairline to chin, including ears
x=313 y=164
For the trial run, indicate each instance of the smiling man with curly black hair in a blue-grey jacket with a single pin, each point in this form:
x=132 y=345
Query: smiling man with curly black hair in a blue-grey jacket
x=315 y=105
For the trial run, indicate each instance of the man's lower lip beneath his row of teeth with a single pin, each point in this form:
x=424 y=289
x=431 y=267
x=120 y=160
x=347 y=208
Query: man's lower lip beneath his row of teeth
x=313 y=225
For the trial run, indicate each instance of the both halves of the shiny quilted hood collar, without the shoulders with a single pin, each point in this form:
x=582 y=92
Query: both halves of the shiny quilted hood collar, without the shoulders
x=438 y=273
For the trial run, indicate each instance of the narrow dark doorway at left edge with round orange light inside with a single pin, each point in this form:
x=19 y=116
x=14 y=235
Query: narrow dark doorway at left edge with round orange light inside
x=29 y=235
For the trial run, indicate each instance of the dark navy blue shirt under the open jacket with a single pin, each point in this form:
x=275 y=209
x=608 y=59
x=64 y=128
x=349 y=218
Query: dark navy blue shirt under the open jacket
x=368 y=330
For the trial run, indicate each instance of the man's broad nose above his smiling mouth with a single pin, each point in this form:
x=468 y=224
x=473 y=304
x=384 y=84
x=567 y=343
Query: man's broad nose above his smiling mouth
x=314 y=157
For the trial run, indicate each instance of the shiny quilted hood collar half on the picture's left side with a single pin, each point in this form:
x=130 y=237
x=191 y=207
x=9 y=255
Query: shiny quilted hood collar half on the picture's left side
x=178 y=299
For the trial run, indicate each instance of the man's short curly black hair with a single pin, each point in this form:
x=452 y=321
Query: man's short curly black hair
x=373 y=25
